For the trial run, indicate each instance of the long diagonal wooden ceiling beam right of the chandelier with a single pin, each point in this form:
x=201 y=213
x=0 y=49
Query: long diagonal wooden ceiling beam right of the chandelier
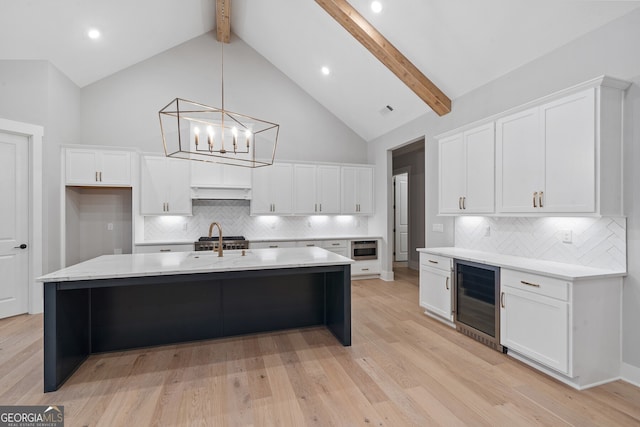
x=392 y=58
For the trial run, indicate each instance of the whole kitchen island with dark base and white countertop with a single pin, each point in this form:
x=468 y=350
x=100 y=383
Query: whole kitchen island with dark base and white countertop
x=119 y=302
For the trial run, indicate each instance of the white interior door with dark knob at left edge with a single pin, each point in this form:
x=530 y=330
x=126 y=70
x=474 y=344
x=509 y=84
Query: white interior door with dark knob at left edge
x=14 y=216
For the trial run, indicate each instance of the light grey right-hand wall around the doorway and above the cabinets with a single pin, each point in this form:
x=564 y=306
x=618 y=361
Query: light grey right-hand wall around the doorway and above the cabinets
x=610 y=50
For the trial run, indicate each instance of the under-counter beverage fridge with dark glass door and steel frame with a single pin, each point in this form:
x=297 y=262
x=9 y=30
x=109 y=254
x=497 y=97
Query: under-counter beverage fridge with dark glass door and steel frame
x=476 y=307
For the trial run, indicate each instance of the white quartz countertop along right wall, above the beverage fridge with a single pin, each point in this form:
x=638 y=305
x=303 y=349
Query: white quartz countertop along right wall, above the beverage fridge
x=535 y=266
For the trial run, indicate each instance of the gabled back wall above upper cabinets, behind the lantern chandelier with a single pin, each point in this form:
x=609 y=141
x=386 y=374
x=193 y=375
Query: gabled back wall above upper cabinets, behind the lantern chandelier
x=122 y=109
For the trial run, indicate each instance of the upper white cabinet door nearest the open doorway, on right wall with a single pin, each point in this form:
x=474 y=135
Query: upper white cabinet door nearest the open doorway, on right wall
x=452 y=174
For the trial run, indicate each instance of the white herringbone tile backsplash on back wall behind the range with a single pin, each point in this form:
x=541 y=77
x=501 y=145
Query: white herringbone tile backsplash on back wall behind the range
x=235 y=218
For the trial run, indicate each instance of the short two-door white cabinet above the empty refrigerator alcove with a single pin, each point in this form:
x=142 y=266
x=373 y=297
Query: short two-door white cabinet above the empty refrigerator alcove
x=98 y=167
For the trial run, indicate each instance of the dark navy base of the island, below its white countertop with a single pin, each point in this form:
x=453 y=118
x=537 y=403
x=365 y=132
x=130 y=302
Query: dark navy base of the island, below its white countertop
x=94 y=316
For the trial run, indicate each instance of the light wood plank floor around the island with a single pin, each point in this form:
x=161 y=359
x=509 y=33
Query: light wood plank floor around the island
x=403 y=369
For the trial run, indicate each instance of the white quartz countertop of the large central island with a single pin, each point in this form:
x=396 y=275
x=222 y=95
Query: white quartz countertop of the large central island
x=170 y=263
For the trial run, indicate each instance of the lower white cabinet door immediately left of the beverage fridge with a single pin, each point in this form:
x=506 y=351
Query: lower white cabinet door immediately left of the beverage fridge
x=436 y=291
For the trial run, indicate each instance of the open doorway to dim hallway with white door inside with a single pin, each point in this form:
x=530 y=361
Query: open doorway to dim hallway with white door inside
x=409 y=214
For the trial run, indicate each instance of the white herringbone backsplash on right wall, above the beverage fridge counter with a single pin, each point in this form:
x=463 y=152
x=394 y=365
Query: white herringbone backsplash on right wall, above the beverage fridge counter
x=596 y=242
